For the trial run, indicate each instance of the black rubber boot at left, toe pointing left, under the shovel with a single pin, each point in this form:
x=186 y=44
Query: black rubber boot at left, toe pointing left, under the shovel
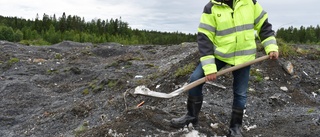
x=193 y=106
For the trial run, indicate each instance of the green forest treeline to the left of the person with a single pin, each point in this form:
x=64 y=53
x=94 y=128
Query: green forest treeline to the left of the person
x=51 y=30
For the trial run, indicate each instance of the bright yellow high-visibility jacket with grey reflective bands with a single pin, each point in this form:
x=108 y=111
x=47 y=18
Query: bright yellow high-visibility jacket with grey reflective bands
x=228 y=33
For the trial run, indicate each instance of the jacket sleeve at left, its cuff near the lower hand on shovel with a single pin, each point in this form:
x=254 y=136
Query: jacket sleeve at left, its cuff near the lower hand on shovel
x=206 y=34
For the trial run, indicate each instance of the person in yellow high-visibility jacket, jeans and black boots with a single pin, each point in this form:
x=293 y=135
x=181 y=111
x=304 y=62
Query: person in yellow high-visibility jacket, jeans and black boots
x=226 y=35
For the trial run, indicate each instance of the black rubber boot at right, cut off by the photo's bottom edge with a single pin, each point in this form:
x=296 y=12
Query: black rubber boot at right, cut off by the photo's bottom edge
x=236 y=123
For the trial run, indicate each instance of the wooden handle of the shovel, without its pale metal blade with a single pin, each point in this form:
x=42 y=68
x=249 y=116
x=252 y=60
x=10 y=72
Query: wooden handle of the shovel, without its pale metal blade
x=202 y=80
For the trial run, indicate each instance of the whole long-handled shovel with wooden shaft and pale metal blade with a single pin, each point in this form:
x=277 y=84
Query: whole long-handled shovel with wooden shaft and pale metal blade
x=142 y=90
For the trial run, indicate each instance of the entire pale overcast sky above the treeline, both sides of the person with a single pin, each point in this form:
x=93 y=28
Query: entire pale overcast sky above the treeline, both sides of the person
x=160 y=15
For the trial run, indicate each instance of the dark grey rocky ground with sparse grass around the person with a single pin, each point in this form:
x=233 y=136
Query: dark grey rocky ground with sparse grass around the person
x=86 y=90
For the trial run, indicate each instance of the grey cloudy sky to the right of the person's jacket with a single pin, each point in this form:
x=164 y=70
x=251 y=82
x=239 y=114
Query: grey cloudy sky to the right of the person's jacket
x=287 y=13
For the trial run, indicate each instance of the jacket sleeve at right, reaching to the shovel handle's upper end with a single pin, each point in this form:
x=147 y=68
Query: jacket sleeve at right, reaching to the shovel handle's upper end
x=264 y=29
